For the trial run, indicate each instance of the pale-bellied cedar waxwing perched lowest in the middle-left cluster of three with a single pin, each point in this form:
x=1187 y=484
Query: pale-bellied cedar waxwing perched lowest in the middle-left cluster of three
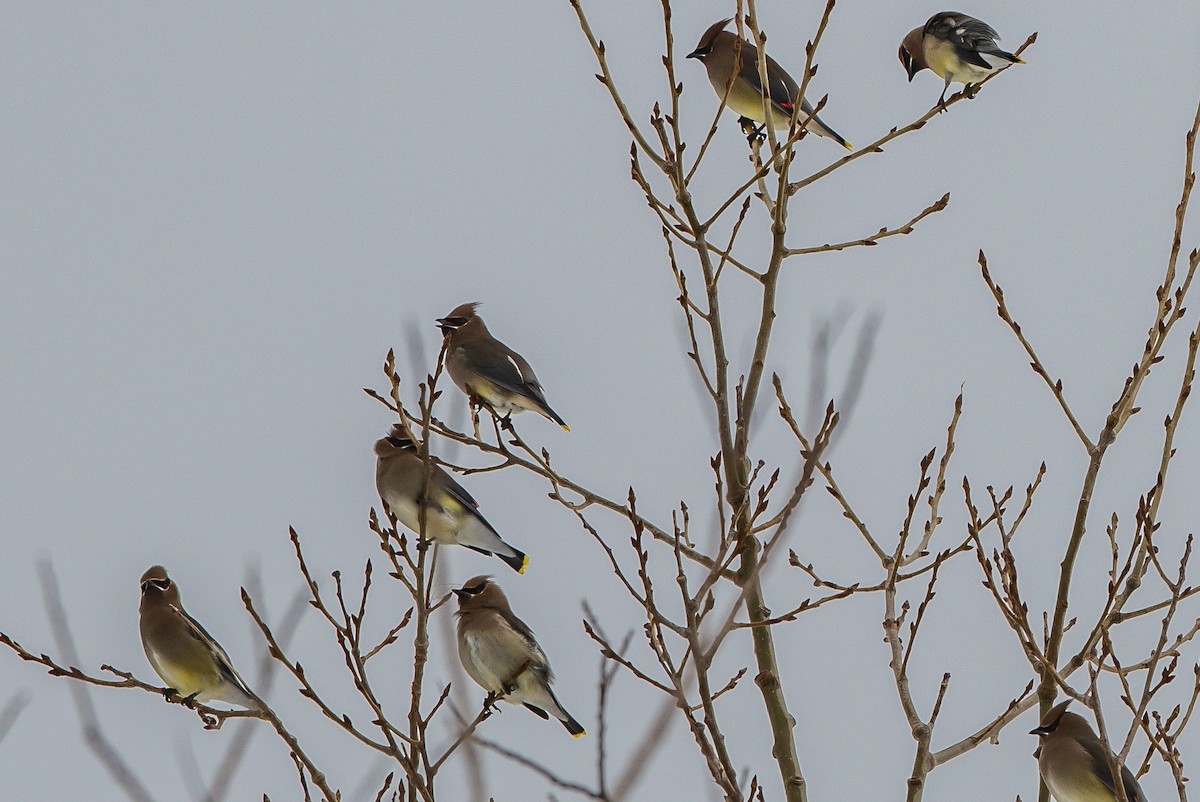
x=501 y=654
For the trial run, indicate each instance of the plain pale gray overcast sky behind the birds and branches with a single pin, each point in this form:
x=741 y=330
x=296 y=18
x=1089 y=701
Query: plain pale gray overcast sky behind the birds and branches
x=219 y=219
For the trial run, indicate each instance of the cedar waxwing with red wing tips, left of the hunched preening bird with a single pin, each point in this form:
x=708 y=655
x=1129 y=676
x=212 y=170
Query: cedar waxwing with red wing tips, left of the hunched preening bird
x=722 y=58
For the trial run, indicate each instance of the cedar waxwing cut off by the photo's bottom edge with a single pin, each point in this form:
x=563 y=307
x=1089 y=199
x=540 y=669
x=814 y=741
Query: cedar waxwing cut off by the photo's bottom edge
x=1075 y=764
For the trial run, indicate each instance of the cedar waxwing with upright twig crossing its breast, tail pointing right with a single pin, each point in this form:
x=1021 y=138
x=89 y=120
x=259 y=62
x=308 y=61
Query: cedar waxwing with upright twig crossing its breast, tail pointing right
x=452 y=516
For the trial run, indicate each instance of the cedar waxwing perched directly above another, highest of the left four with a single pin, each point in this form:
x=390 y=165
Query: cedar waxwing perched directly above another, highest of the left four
x=488 y=370
